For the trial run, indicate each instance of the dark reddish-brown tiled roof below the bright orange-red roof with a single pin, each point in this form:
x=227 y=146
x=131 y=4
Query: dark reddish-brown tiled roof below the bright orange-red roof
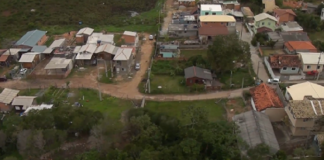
x=279 y=61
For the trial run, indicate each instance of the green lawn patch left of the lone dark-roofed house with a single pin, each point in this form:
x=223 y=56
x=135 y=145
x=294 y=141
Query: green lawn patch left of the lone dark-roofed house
x=169 y=84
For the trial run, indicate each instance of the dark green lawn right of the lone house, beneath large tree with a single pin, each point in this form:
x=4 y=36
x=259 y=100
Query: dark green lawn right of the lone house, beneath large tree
x=237 y=78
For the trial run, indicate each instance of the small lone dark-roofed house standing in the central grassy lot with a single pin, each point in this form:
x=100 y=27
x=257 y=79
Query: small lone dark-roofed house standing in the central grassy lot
x=197 y=75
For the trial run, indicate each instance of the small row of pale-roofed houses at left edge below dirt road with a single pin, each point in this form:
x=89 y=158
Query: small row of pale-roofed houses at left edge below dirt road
x=11 y=100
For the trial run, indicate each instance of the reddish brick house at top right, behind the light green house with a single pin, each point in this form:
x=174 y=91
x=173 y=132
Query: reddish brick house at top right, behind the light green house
x=284 y=15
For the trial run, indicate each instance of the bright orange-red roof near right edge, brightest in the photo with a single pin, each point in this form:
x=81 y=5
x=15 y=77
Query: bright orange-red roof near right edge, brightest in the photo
x=300 y=45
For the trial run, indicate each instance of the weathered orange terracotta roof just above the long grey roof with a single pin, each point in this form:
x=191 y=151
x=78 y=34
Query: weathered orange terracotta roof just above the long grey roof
x=265 y=97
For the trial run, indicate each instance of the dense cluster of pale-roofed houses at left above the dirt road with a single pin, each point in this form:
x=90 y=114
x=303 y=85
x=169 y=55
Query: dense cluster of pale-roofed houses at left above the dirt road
x=61 y=57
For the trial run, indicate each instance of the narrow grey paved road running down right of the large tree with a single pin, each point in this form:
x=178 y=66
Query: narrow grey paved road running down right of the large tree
x=256 y=60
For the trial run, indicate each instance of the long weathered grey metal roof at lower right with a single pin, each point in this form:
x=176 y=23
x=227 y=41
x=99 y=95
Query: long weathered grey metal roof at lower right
x=255 y=128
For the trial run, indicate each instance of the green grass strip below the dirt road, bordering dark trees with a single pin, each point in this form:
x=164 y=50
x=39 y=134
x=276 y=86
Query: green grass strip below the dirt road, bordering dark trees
x=215 y=110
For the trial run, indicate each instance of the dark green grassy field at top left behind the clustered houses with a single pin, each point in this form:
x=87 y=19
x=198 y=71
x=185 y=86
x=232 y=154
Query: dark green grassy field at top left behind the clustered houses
x=16 y=16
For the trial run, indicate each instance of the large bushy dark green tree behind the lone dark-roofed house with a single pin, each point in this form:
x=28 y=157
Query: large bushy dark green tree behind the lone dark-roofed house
x=225 y=50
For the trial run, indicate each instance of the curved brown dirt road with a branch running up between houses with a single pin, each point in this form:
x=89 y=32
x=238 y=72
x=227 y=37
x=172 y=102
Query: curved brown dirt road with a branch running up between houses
x=125 y=90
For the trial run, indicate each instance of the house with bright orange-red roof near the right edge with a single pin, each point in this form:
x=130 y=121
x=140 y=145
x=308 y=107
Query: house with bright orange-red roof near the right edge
x=292 y=47
